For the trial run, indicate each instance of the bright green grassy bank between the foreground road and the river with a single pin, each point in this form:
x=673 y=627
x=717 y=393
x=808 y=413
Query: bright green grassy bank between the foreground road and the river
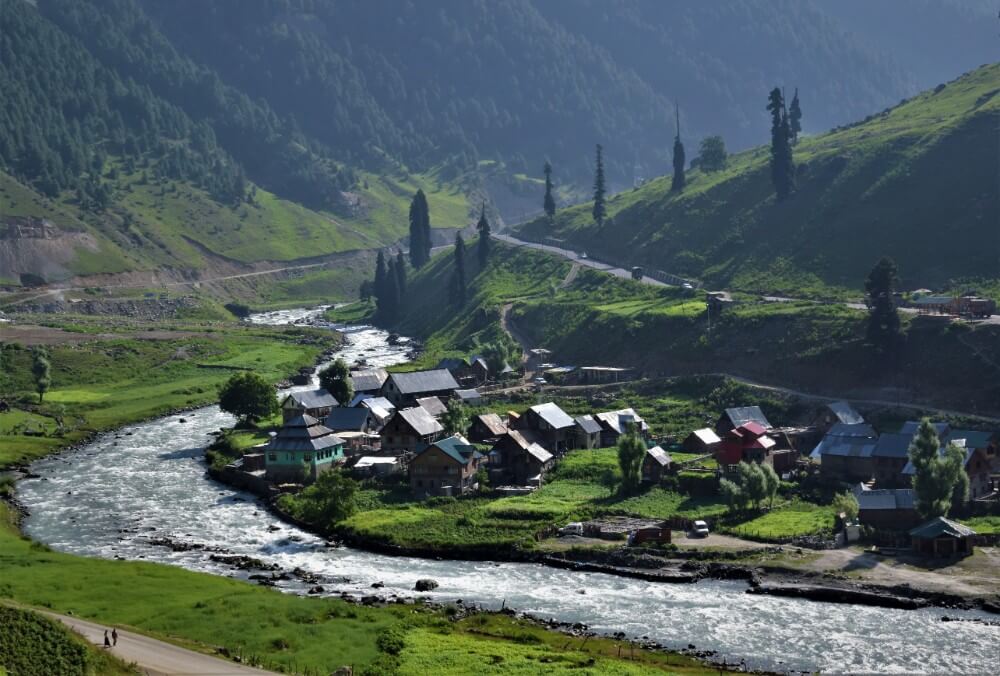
x=204 y=612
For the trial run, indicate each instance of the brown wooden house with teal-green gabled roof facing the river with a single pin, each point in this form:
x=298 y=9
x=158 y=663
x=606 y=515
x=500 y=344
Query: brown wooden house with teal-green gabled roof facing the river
x=445 y=467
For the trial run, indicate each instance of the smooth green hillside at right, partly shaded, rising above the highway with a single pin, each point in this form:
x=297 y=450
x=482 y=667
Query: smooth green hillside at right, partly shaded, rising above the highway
x=917 y=183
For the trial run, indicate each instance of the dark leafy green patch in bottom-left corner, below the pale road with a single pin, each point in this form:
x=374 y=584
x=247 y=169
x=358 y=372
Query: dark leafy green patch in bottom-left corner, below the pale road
x=33 y=645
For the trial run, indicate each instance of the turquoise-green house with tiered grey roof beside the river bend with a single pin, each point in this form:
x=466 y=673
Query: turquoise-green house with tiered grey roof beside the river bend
x=301 y=450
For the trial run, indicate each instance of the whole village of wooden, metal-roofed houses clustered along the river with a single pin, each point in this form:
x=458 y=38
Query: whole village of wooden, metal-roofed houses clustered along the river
x=450 y=432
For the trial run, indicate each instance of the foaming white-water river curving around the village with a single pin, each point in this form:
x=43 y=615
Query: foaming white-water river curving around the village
x=123 y=493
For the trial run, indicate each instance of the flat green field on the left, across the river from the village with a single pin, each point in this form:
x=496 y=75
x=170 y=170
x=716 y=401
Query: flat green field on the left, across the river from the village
x=122 y=377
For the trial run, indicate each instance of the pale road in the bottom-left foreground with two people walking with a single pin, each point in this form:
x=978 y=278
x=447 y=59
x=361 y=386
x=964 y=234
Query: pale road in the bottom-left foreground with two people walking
x=157 y=658
